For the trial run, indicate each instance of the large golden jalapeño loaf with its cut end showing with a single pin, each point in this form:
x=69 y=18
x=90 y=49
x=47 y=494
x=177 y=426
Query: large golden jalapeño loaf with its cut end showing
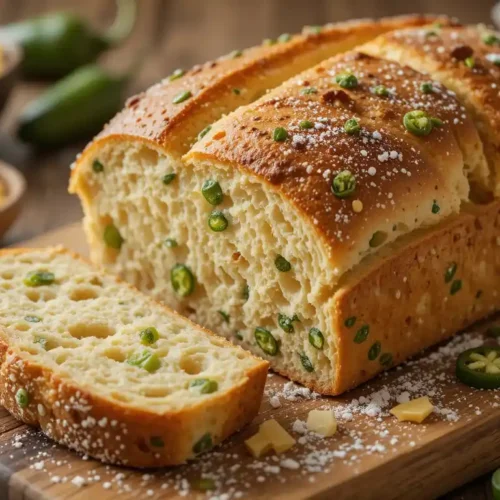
x=334 y=226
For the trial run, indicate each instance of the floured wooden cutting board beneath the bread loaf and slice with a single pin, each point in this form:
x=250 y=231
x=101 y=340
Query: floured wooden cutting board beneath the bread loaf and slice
x=371 y=456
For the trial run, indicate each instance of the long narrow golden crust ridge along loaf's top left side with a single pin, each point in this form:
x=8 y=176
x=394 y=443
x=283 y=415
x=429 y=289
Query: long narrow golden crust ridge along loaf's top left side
x=154 y=116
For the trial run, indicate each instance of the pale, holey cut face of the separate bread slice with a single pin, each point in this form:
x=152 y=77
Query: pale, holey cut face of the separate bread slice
x=84 y=327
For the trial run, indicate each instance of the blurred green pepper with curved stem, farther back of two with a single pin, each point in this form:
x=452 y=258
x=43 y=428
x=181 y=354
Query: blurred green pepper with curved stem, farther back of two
x=56 y=44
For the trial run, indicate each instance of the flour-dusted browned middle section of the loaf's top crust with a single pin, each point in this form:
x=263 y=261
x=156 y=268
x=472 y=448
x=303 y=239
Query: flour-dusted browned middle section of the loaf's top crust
x=400 y=178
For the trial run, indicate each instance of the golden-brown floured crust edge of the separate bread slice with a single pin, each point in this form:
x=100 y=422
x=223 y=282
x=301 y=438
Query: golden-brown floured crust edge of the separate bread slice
x=120 y=434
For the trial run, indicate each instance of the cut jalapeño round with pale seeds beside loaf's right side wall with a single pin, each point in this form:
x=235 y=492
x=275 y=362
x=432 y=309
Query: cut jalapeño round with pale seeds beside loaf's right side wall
x=479 y=367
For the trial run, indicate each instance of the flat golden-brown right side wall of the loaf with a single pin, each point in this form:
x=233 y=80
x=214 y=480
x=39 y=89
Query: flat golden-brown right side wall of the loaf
x=409 y=304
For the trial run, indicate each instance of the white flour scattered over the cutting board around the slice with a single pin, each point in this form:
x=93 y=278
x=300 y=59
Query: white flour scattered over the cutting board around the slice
x=365 y=428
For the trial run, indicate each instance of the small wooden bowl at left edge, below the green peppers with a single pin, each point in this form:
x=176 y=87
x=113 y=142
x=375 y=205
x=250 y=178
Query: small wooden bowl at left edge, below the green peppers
x=14 y=186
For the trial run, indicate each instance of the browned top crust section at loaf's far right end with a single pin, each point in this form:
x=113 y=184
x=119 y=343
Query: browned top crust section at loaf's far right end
x=467 y=61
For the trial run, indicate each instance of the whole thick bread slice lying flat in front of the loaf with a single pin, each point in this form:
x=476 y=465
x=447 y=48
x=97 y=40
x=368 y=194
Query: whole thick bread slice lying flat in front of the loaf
x=66 y=353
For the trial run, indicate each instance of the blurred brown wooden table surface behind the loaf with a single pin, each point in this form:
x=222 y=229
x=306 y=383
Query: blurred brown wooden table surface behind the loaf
x=180 y=33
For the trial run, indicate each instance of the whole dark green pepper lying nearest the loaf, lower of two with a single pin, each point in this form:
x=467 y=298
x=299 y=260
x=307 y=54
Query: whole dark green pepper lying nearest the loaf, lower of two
x=74 y=108
